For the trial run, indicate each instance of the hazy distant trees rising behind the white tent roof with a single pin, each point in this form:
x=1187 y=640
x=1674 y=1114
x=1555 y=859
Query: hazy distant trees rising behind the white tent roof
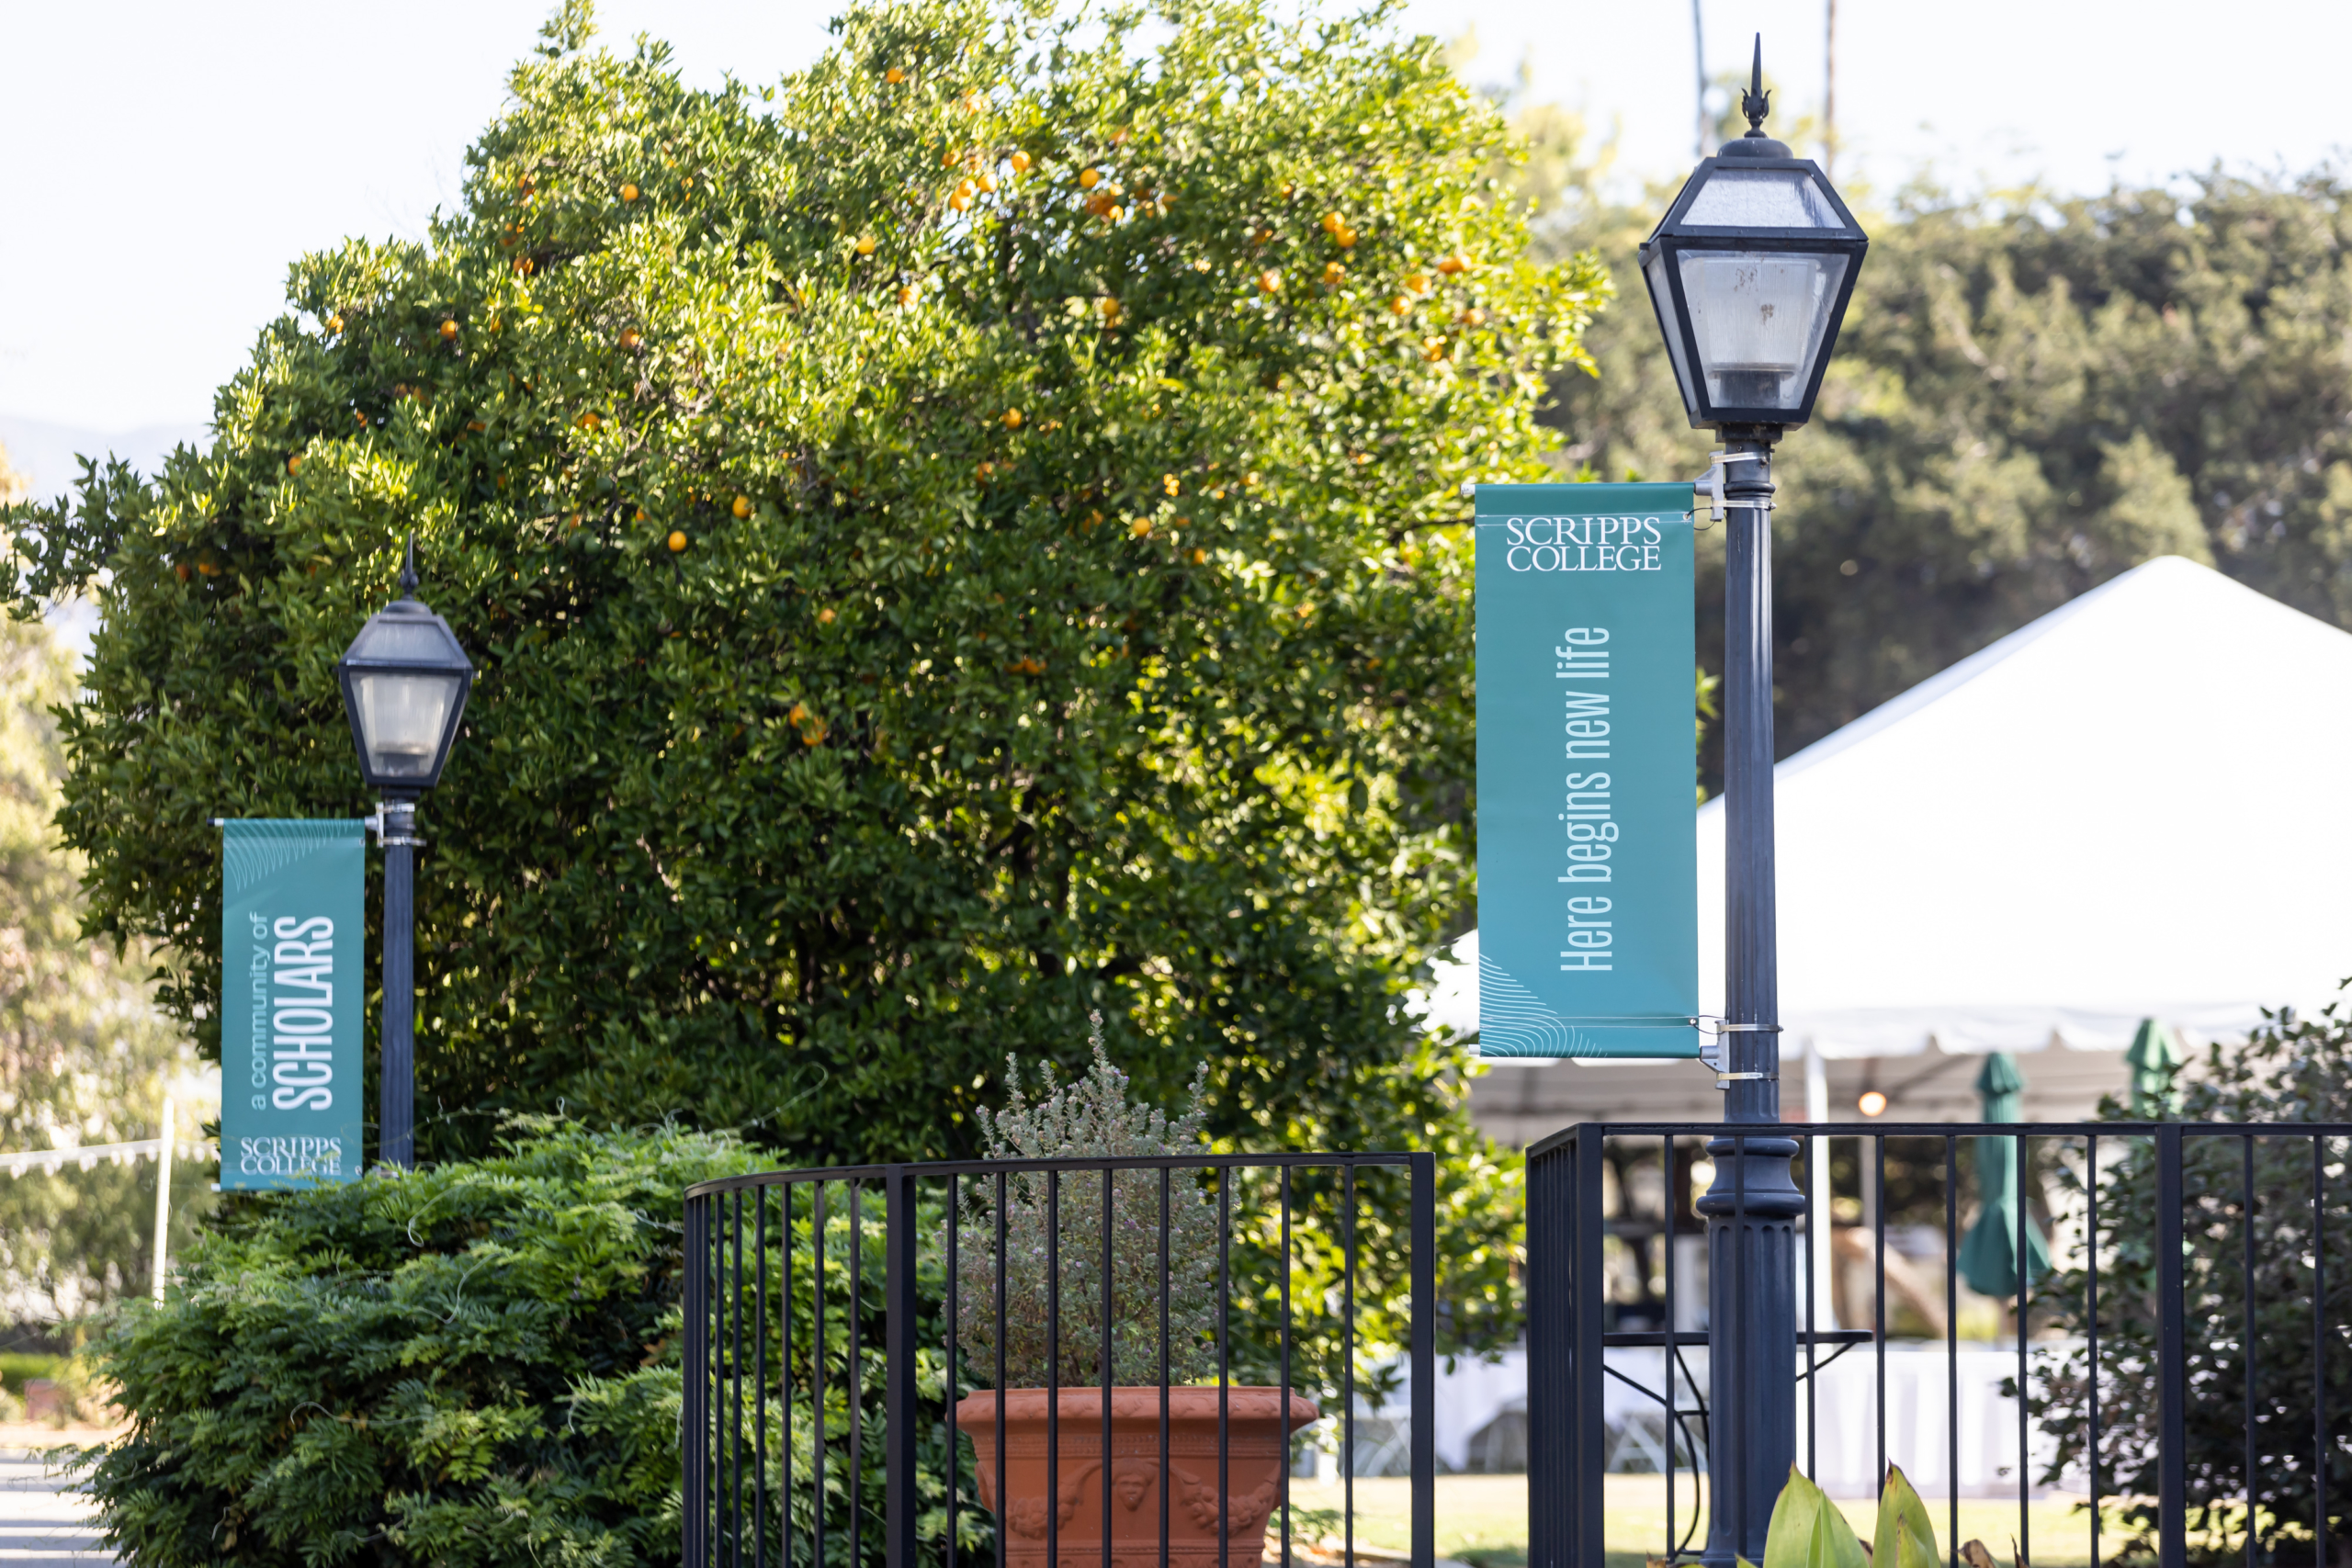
x=2033 y=394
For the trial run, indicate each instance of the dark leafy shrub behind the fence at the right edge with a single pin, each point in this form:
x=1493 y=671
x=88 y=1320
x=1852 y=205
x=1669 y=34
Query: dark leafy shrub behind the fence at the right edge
x=2292 y=1191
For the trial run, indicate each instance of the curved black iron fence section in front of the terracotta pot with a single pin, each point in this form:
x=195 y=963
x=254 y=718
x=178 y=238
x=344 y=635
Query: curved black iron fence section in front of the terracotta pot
x=1121 y=1360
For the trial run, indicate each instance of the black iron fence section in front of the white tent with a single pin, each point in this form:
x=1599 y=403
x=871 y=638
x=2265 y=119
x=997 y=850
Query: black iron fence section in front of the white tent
x=2177 y=1315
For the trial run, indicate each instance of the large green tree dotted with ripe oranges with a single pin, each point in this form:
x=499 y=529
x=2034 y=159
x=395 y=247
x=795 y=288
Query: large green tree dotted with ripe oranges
x=961 y=540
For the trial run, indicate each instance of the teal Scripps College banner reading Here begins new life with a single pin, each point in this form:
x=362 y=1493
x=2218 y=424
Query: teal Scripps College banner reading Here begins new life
x=1586 y=772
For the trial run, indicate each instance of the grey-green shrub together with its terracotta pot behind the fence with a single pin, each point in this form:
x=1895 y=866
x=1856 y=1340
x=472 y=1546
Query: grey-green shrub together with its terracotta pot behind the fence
x=1050 y=1341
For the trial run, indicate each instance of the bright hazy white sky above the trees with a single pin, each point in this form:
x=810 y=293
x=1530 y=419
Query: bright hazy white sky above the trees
x=166 y=161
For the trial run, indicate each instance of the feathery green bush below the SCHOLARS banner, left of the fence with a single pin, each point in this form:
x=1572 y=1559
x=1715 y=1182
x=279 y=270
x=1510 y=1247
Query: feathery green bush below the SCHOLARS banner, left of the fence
x=467 y=1365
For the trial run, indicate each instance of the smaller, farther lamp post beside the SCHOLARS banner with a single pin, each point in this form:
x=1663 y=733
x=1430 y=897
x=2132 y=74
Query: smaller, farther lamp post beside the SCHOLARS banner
x=406 y=683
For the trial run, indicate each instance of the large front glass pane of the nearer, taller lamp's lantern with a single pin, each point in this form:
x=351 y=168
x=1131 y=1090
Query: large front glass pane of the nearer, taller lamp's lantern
x=1760 y=323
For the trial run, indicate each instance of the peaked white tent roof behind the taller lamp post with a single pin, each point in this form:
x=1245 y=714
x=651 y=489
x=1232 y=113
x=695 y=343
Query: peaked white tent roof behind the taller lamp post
x=2139 y=805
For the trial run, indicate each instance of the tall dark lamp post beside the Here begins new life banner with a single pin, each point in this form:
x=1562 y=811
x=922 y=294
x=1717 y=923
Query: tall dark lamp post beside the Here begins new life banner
x=1751 y=272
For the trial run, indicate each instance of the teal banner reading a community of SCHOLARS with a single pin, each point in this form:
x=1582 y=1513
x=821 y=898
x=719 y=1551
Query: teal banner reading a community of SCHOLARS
x=293 y=989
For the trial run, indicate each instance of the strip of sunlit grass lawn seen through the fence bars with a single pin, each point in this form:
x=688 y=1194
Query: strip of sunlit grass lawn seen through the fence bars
x=1483 y=1520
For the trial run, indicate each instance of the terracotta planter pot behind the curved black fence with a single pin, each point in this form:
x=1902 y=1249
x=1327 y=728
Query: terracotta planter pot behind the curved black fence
x=1255 y=1452
